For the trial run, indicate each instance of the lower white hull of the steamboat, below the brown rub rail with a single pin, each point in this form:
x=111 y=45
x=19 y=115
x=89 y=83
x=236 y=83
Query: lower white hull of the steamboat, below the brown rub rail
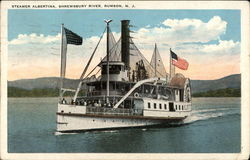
x=73 y=123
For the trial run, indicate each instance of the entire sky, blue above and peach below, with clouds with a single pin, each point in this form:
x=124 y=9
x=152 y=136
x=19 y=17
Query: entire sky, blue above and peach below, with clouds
x=208 y=39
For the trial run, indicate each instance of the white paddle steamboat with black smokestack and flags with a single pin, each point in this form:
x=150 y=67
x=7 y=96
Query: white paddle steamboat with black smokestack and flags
x=130 y=91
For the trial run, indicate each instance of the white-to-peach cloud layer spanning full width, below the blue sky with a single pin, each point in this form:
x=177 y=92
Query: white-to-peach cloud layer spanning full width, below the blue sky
x=33 y=55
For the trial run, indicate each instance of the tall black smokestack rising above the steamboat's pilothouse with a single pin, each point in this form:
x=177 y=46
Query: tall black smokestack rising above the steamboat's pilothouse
x=125 y=43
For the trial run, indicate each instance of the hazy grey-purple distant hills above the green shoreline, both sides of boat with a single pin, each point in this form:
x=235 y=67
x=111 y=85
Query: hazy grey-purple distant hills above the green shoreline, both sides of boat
x=232 y=81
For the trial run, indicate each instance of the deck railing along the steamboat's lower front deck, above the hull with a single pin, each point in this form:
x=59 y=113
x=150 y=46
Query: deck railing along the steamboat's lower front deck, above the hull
x=113 y=111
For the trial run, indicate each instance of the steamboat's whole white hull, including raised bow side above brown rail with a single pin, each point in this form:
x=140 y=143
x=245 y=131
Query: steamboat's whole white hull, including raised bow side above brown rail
x=74 y=118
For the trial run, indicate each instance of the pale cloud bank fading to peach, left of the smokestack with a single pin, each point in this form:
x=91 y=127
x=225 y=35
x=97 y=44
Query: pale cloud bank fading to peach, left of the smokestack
x=32 y=55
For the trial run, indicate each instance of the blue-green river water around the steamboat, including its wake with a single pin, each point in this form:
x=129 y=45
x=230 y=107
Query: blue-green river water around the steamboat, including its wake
x=213 y=127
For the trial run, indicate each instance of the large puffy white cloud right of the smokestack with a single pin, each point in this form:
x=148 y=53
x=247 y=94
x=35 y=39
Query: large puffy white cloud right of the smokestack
x=173 y=31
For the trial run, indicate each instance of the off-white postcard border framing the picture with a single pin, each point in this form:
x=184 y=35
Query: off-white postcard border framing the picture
x=241 y=5
